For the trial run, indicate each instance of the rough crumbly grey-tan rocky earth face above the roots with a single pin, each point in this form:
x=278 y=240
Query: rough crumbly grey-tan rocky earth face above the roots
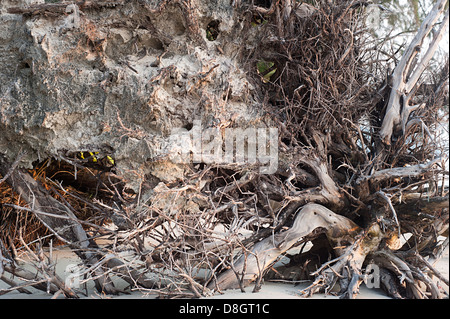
x=117 y=77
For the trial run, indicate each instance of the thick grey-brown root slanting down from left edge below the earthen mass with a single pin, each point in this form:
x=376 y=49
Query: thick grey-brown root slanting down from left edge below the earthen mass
x=62 y=222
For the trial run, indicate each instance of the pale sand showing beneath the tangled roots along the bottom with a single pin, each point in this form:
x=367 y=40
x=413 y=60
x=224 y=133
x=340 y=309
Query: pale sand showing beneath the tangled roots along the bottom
x=270 y=290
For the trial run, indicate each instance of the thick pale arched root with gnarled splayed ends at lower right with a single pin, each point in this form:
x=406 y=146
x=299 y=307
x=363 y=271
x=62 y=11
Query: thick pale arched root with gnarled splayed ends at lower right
x=352 y=246
